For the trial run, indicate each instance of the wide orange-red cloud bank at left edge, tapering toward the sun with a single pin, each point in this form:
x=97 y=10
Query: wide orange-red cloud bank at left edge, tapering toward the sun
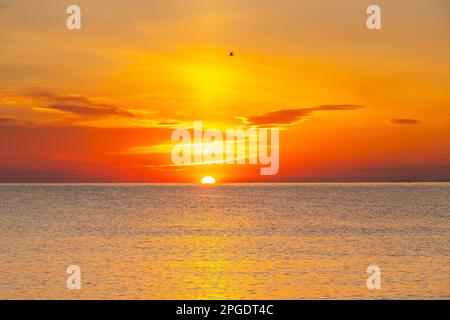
x=48 y=109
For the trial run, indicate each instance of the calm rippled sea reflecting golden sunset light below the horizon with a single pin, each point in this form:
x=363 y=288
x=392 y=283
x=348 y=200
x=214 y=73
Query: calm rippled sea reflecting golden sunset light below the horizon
x=227 y=242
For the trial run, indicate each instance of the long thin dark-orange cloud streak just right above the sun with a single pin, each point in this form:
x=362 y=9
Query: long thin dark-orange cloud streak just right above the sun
x=292 y=116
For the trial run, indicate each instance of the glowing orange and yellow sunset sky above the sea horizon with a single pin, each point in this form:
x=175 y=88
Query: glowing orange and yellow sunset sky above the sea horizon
x=99 y=104
